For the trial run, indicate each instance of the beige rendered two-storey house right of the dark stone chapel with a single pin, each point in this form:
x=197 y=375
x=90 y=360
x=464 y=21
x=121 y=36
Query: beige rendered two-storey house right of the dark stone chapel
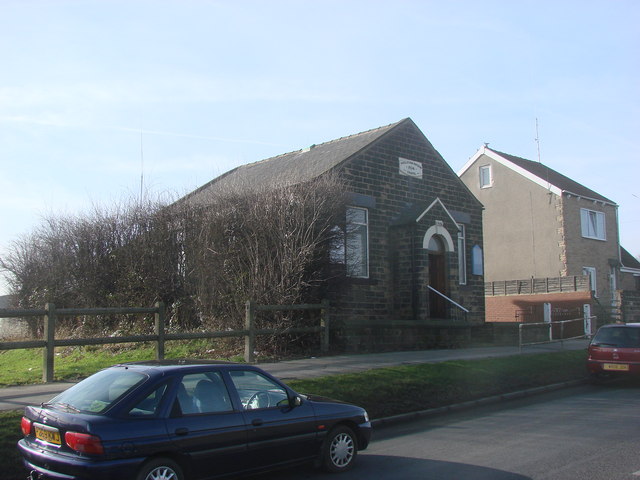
x=551 y=225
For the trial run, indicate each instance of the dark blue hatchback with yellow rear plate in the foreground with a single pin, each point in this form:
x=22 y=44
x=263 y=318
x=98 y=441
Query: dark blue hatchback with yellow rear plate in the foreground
x=178 y=420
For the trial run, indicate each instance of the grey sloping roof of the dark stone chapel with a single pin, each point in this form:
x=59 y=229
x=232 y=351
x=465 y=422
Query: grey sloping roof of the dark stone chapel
x=299 y=166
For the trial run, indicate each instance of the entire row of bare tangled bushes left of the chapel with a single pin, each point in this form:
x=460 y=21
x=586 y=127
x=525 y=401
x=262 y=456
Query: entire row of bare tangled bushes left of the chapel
x=203 y=256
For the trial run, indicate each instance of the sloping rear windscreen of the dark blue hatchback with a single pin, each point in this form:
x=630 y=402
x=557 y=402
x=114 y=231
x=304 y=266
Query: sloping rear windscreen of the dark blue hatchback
x=98 y=392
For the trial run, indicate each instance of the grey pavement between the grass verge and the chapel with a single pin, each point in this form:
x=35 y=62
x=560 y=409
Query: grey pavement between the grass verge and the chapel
x=17 y=397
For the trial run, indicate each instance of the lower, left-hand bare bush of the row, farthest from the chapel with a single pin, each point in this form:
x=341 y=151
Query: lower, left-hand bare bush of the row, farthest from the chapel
x=121 y=256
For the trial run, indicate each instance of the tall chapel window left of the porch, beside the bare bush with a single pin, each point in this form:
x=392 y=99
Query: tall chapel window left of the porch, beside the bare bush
x=357 y=242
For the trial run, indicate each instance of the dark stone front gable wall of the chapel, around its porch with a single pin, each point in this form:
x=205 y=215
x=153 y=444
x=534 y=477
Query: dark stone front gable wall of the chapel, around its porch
x=396 y=287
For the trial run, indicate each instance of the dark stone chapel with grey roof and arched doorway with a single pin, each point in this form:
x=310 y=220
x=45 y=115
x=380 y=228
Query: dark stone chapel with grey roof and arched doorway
x=412 y=264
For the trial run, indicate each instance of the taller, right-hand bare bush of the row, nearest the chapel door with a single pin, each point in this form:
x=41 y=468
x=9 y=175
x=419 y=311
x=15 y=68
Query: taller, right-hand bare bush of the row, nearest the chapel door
x=267 y=244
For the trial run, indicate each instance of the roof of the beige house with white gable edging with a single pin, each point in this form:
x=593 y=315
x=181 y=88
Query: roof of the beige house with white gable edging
x=540 y=173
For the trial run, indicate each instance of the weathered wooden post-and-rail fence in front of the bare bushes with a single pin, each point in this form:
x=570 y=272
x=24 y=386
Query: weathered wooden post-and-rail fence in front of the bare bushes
x=50 y=314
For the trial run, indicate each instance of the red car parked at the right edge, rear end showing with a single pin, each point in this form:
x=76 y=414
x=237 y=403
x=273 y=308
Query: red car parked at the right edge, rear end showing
x=615 y=351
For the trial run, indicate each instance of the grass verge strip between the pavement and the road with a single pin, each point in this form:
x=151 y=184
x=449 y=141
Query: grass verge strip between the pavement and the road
x=389 y=391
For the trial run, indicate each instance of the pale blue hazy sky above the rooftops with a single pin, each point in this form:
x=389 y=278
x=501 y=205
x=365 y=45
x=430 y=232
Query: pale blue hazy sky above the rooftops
x=101 y=98
